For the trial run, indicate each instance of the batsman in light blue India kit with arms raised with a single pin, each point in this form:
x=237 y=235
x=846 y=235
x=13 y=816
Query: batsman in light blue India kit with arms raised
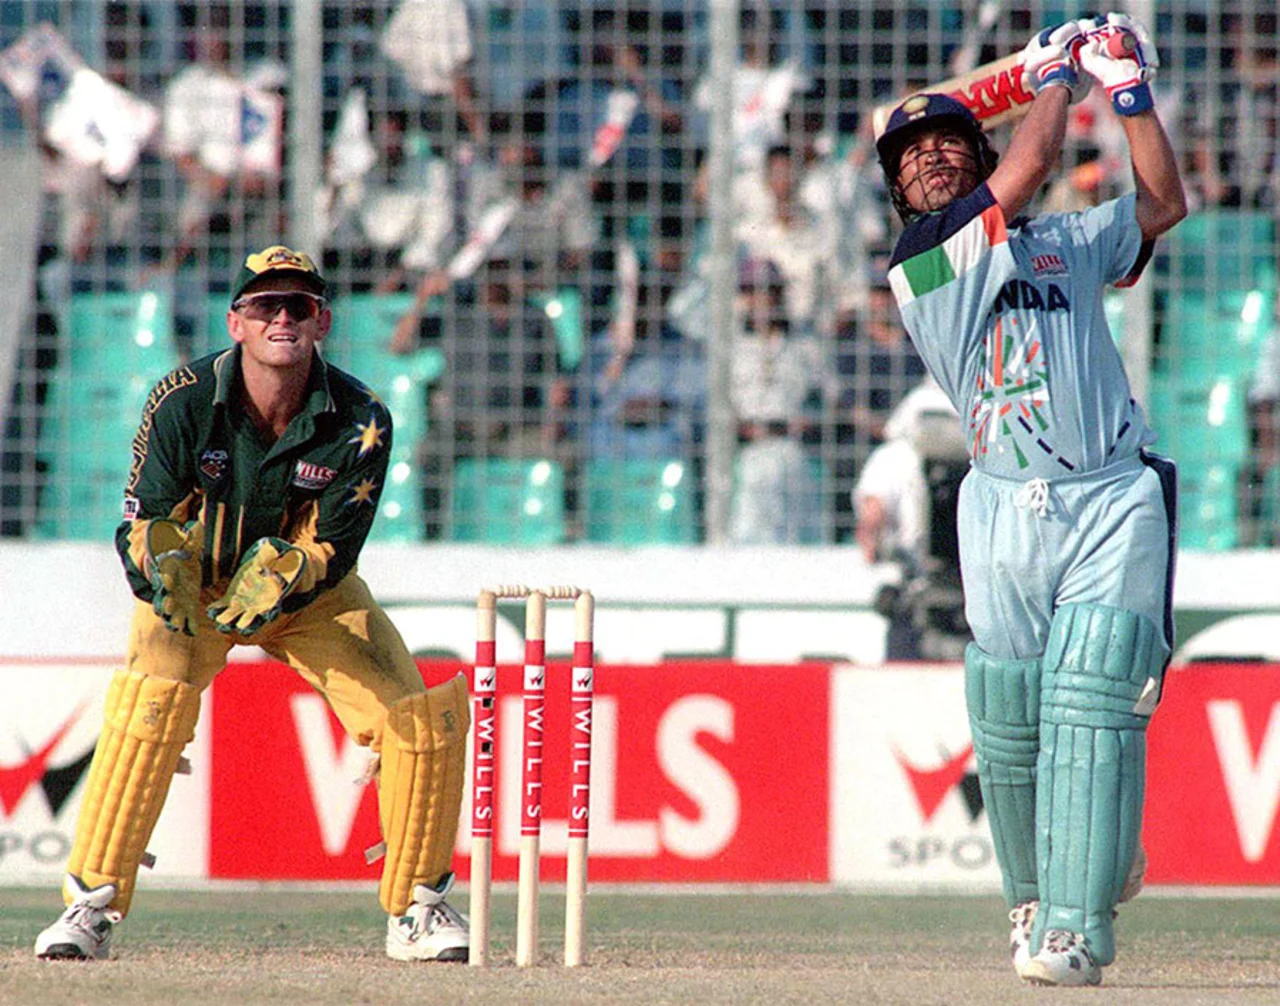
x=1067 y=519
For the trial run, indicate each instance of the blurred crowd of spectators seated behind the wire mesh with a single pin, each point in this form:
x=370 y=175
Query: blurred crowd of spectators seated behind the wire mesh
x=520 y=191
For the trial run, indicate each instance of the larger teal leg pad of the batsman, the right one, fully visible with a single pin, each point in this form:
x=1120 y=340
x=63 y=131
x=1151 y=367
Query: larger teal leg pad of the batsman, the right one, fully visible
x=1103 y=674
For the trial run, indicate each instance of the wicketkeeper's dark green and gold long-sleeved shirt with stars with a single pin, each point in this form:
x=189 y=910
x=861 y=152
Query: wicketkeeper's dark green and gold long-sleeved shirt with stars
x=198 y=456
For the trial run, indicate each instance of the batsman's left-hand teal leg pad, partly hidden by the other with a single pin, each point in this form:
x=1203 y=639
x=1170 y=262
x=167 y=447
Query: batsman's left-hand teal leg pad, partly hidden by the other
x=1004 y=702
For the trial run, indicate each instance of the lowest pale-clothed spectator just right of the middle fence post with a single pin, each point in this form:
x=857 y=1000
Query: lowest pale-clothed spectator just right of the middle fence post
x=775 y=383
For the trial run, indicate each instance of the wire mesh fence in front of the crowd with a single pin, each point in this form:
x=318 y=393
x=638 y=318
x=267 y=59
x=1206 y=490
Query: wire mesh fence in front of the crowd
x=514 y=203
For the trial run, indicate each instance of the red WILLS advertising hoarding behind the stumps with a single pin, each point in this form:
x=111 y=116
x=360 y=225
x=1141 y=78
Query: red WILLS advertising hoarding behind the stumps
x=705 y=771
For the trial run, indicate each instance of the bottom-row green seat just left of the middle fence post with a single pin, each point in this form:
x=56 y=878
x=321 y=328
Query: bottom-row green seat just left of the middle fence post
x=641 y=502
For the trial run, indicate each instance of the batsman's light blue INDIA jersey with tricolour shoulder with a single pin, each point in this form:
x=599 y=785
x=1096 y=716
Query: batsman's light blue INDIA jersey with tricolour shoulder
x=1011 y=323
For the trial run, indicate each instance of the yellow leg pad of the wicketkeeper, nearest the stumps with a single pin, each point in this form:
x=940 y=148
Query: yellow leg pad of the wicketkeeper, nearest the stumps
x=420 y=789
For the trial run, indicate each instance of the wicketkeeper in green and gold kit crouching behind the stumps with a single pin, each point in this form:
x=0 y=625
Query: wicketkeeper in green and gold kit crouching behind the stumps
x=255 y=481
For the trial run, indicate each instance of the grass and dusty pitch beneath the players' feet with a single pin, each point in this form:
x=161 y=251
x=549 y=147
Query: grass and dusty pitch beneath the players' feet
x=326 y=949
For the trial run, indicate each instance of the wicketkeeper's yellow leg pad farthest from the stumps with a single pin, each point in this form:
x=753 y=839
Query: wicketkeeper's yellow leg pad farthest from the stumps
x=148 y=721
